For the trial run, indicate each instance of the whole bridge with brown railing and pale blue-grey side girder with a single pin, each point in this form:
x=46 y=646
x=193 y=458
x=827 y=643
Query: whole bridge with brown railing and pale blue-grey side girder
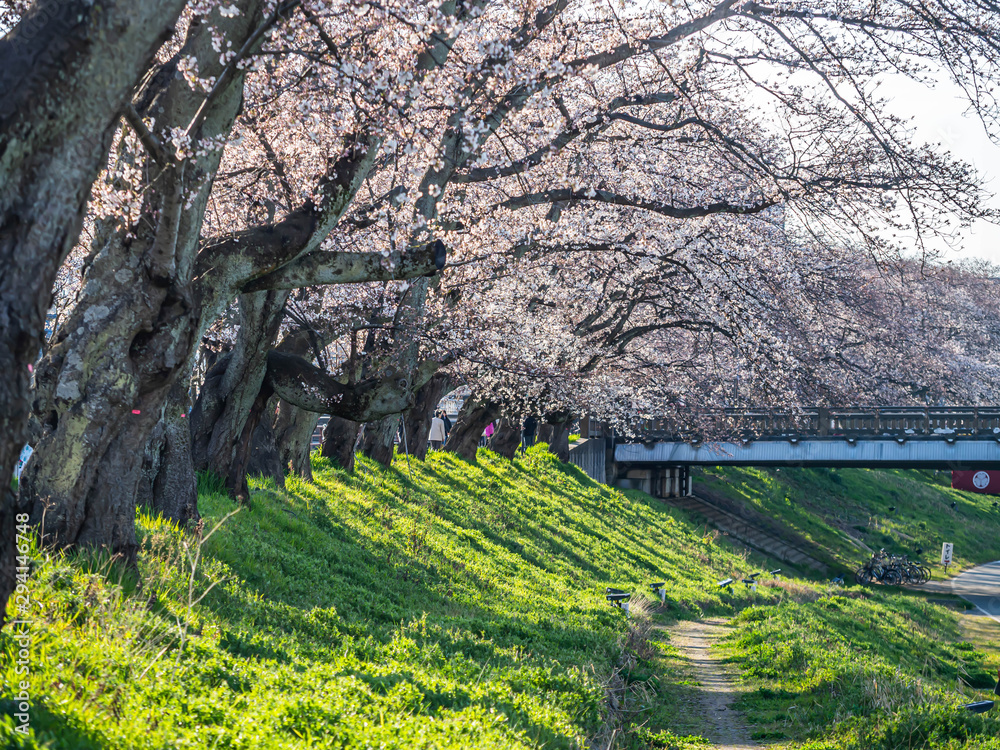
x=657 y=455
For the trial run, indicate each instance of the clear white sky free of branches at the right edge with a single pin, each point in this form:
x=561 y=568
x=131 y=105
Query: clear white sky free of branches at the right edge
x=940 y=118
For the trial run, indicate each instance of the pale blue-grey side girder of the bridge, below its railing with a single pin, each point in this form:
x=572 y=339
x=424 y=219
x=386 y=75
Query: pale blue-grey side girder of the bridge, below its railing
x=965 y=453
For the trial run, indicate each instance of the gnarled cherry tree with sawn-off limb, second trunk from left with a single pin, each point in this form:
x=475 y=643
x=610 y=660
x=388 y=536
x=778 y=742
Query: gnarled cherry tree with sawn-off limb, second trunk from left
x=159 y=273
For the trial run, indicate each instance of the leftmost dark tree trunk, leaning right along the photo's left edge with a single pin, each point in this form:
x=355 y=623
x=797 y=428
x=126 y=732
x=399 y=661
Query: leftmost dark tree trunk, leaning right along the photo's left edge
x=66 y=70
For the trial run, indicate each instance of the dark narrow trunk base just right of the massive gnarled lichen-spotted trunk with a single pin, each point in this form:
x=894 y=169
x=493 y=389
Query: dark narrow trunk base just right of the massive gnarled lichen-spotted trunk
x=167 y=483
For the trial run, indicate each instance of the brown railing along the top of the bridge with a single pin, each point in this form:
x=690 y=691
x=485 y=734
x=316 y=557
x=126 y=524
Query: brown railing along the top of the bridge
x=849 y=422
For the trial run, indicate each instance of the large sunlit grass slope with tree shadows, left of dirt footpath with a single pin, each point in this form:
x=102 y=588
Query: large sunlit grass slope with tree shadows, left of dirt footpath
x=434 y=604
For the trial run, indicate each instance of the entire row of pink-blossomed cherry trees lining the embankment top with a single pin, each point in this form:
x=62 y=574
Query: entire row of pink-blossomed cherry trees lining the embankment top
x=255 y=211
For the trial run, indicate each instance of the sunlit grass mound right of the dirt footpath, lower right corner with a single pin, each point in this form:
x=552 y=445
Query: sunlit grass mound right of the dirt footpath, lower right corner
x=859 y=669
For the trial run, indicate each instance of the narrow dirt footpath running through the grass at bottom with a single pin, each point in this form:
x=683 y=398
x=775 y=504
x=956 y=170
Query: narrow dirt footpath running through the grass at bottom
x=722 y=724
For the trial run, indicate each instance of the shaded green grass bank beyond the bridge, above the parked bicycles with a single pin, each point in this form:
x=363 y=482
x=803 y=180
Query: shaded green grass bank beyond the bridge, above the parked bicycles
x=844 y=513
